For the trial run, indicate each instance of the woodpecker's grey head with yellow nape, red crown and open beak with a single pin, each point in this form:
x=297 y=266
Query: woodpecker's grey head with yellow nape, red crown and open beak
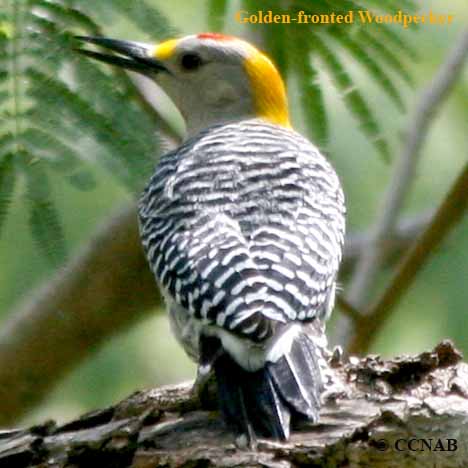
x=211 y=78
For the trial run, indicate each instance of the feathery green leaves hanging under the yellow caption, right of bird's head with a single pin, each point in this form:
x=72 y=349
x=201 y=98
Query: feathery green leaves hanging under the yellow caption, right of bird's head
x=302 y=49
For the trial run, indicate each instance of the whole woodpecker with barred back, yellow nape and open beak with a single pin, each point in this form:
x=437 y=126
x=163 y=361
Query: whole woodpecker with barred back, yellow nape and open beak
x=243 y=226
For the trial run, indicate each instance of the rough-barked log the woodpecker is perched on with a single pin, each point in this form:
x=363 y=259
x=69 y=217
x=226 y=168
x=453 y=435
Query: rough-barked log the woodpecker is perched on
x=376 y=414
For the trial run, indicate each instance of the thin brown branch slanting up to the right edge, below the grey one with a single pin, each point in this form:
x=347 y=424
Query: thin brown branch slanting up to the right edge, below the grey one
x=449 y=213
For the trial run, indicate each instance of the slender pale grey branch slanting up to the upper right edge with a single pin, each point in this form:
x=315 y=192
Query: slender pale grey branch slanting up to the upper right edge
x=403 y=175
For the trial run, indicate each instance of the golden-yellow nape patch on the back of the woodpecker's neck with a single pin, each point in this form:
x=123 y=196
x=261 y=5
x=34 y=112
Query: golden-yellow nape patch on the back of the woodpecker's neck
x=268 y=90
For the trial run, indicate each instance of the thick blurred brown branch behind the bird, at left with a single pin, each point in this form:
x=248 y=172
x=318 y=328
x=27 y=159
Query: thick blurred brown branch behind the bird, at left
x=104 y=289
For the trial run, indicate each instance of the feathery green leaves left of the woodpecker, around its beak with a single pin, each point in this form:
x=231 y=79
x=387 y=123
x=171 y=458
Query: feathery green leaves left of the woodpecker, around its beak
x=55 y=105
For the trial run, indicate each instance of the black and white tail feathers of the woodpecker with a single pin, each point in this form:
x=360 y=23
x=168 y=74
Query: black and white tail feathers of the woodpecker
x=262 y=403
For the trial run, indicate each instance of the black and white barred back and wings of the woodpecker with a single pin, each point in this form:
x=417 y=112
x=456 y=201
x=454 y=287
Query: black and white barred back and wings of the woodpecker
x=243 y=227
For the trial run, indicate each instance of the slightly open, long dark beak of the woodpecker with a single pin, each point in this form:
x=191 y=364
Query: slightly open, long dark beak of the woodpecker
x=134 y=56
